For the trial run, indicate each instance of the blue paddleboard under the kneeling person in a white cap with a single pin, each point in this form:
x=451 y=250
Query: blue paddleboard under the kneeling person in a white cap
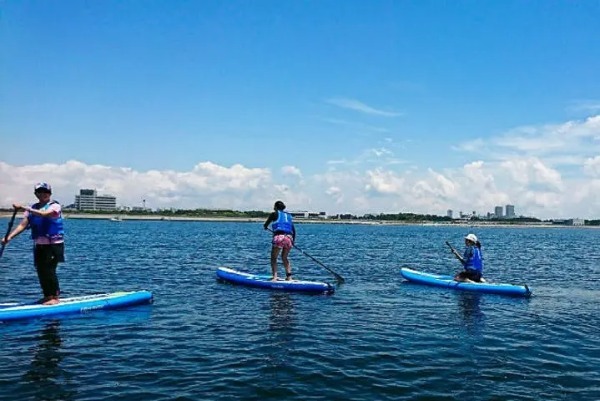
x=439 y=280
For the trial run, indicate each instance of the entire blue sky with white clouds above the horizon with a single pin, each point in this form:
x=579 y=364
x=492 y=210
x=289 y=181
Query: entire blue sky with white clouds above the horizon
x=337 y=106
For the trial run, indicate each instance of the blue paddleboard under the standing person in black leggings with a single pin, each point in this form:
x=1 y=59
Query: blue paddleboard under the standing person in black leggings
x=83 y=304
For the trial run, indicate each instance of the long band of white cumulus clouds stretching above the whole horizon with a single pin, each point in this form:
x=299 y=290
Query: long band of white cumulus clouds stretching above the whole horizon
x=364 y=183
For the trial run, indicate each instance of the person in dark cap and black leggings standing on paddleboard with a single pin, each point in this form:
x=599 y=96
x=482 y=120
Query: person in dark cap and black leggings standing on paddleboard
x=44 y=218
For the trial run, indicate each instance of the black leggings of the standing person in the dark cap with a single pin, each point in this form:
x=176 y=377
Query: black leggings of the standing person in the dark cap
x=46 y=259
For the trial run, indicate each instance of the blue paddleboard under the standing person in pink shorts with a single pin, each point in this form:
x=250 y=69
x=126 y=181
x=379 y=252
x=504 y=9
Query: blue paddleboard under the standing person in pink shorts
x=264 y=281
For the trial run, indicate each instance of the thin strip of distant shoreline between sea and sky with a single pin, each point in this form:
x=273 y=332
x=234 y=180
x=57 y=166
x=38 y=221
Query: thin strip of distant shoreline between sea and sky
x=125 y=218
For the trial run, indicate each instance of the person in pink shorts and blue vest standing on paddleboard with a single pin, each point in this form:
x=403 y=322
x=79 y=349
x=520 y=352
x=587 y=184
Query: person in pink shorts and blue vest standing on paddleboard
x=284 y=235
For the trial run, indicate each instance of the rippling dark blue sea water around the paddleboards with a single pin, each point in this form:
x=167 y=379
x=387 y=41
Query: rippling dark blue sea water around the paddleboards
x=376 y=338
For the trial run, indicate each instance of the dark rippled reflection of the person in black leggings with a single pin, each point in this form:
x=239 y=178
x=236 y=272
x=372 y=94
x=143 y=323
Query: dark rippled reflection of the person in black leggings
x=45 y=377
